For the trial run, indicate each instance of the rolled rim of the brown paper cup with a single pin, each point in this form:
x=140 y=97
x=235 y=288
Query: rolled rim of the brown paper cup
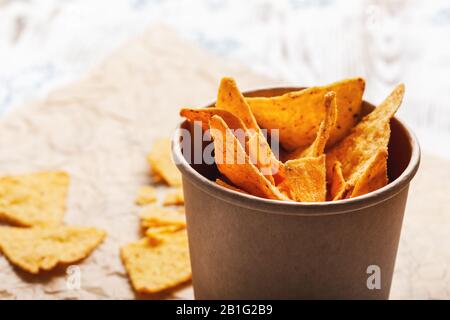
x=298 y=208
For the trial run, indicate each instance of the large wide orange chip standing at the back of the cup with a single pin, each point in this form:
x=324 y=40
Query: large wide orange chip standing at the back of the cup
x=298 y=114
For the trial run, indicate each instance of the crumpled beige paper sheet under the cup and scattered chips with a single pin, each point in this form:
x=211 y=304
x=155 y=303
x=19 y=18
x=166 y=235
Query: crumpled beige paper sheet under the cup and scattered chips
x=100 y=129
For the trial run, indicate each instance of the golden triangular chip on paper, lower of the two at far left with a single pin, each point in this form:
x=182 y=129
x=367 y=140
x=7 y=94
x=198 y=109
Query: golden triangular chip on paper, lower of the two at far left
x=43 y=248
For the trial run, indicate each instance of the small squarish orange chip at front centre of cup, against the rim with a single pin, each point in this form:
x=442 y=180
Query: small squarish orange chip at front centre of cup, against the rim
x=305 y=179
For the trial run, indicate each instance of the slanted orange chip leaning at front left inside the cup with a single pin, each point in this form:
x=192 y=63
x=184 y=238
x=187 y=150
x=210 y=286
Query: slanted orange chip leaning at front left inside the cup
x=233 y=163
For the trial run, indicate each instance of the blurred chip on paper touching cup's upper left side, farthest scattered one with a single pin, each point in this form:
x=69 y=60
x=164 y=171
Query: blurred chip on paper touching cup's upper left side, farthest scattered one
x=160 y=159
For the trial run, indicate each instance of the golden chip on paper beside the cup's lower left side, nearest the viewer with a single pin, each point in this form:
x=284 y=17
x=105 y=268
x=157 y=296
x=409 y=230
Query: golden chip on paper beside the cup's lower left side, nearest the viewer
x=155 y=268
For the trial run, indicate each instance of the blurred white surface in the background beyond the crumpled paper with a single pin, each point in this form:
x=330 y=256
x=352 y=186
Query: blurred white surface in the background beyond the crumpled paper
x=46 y=43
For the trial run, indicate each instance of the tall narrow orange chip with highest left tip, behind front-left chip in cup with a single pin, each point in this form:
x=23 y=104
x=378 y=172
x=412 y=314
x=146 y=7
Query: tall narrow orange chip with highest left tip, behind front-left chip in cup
x=231 y=99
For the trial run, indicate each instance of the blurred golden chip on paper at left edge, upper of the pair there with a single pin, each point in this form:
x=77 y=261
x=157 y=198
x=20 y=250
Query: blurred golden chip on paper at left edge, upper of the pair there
x=34 y=199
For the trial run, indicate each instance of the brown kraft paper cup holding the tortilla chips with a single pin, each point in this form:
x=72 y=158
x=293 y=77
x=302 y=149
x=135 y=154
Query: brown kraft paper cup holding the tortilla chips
x=245 y=247
